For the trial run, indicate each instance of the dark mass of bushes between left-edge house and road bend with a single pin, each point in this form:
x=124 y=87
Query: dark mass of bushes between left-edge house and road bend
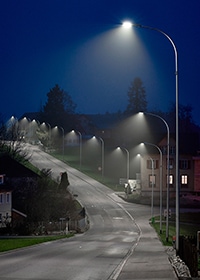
x=44 y=202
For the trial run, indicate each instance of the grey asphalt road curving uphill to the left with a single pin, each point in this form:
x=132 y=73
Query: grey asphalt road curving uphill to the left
x=97 y=254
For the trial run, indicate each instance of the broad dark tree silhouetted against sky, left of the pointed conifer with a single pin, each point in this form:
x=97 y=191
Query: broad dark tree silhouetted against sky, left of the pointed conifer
x=58 y=107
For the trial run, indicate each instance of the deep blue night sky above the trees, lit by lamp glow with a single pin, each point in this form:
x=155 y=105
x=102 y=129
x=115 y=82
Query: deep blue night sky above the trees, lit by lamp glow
x=81 y=46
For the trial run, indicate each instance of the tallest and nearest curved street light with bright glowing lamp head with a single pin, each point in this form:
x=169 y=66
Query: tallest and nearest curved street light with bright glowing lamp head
x=129 y=24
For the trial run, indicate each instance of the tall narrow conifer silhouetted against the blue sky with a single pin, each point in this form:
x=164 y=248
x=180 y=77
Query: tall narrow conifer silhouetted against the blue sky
x=136 y=98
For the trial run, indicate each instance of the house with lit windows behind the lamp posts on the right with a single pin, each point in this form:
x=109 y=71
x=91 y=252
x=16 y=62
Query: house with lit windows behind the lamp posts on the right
x=152 y=169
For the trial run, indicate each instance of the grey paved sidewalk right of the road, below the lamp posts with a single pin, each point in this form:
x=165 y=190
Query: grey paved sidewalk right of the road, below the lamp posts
x=149 y=259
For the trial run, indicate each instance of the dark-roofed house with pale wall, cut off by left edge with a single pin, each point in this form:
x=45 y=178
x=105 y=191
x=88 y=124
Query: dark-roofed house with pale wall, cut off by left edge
x=16 y=178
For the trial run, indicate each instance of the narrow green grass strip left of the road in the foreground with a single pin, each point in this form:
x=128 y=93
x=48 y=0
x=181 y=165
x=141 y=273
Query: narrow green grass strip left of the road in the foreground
x=7 y=244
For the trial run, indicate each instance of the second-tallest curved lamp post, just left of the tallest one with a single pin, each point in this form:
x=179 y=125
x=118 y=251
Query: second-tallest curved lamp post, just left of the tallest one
x=167 y=202
